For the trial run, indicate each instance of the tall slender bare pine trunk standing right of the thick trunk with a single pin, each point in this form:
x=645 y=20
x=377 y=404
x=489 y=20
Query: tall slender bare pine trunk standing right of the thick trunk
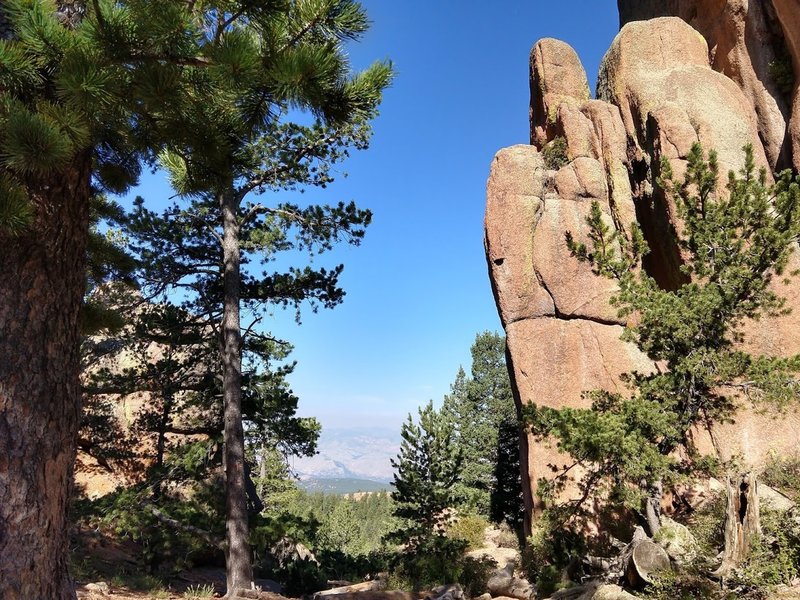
x=237 y=550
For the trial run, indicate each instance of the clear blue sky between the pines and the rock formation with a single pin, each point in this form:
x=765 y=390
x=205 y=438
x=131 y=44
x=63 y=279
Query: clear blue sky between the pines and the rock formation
x=417 y=288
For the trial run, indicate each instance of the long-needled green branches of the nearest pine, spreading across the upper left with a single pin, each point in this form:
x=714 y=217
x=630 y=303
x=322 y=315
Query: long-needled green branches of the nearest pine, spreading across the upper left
x=124 y=78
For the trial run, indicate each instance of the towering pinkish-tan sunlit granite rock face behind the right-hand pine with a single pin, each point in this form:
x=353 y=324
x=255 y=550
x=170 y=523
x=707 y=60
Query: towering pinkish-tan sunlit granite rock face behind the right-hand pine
x=663 y=86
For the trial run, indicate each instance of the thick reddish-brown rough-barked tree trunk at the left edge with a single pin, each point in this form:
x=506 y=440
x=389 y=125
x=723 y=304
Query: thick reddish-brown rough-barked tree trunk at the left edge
x=42 y=281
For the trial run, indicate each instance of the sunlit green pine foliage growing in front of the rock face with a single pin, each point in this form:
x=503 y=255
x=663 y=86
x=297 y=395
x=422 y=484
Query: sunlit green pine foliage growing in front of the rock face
x=736 y=243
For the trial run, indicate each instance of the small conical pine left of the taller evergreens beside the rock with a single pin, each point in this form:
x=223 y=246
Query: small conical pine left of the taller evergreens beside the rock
x=427 y=468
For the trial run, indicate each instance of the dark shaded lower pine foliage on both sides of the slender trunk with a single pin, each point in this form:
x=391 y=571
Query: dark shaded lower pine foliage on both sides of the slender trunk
x=173 y=439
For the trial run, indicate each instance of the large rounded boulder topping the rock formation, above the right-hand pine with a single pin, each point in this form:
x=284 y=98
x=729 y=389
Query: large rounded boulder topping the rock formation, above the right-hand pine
x=658 y=73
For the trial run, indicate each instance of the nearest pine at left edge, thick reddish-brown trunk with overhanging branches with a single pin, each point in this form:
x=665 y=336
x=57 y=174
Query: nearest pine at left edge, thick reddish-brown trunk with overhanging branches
x=89 y=90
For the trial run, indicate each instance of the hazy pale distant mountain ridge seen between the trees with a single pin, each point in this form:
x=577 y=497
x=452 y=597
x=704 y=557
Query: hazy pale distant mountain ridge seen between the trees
x=356 y=454
